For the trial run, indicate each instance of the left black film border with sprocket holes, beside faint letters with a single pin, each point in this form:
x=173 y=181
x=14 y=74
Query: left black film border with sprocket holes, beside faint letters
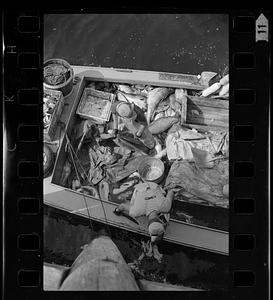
x=23 y=167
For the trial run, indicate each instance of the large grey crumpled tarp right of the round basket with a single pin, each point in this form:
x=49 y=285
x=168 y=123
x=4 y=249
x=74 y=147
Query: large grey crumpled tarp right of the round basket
x=205 y=184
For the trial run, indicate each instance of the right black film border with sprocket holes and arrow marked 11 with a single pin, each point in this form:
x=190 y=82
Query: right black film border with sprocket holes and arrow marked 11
x=249 y=155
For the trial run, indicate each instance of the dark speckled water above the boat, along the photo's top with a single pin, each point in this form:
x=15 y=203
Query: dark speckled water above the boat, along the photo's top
x=162 y=42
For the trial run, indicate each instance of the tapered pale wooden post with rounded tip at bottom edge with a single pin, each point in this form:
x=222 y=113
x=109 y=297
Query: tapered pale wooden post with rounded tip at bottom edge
x=100 y=267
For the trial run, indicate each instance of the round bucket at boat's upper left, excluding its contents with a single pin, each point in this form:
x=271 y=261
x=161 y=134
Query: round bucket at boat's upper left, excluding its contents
x=65 y=87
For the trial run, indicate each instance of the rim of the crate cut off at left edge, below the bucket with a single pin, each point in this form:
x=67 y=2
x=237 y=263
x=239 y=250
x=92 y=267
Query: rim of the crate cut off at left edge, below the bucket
x=50 y=132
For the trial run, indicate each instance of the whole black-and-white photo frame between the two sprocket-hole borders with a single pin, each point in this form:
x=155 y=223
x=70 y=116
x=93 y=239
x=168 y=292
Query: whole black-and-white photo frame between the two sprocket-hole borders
x=136 y=152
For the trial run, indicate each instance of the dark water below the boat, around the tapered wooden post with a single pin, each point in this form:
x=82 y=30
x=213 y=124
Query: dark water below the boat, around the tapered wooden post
x=180 y=265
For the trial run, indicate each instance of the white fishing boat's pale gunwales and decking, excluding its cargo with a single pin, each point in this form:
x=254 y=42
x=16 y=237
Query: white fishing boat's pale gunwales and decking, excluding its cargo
x=212 y=113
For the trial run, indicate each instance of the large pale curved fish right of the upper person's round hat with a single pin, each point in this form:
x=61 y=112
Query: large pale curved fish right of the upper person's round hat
x=153 y=99
